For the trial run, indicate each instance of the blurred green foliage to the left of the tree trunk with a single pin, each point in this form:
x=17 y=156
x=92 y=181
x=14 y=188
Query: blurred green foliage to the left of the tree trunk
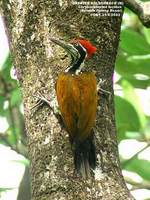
x=10 y=101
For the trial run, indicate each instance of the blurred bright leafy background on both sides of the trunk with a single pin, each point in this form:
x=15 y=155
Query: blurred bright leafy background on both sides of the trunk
x=132 y=104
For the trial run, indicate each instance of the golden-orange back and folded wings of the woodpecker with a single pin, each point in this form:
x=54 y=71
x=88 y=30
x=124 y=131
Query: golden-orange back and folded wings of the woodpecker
x=77 y=100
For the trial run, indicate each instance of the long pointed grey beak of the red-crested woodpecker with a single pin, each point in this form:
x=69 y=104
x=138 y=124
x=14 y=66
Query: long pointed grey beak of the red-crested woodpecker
x=69 y=48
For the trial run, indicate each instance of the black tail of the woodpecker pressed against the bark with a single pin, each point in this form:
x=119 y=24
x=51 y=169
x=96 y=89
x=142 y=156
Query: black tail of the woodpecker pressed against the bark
x=84 y=156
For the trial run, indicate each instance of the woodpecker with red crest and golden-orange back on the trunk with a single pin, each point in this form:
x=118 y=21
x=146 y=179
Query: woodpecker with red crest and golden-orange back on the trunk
x=76 y=93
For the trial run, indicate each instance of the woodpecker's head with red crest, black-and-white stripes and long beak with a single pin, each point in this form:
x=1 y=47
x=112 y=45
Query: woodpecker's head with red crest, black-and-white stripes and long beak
x=79 y=50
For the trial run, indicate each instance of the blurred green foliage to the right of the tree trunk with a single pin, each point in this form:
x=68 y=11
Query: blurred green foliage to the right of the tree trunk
x=133 y=68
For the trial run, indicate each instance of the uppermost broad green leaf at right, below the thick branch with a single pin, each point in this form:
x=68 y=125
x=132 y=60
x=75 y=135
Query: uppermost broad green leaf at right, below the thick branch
x=134 y=43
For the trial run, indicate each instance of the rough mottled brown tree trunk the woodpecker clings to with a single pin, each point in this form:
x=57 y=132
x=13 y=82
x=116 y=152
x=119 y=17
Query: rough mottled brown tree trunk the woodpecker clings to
x=38 y=62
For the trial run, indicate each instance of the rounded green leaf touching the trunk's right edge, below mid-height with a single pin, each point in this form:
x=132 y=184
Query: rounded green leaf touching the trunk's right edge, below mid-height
x=126 y=117
